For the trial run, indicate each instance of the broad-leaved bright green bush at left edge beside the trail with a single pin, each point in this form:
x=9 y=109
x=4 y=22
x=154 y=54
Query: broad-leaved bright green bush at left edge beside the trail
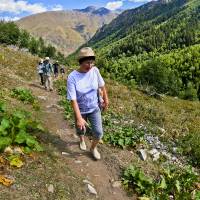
x=15 y=128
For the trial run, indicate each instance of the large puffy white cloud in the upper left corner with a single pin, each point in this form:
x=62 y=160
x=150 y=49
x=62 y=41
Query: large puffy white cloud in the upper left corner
x=20 y=6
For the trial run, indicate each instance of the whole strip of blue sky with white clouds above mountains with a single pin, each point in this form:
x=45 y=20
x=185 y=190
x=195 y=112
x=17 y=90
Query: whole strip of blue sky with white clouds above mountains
x=15 y=9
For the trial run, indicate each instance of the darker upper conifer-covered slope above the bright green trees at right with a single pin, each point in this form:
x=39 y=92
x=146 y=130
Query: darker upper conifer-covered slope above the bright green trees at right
x=154 y=23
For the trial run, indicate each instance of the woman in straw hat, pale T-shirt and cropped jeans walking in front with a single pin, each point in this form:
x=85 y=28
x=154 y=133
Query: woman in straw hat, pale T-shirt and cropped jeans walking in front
x=83 y=86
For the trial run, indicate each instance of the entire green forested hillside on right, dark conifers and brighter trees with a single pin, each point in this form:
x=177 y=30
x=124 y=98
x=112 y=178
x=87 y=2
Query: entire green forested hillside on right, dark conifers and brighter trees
x=155 y=45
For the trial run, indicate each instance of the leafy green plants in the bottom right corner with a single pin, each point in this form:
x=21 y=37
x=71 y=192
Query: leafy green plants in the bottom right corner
x=172 y=181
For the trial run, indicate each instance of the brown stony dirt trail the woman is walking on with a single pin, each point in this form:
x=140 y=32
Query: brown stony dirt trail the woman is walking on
x=100 y=173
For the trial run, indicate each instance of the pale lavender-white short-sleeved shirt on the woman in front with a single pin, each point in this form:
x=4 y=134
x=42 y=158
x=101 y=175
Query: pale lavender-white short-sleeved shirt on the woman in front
x=83 y=87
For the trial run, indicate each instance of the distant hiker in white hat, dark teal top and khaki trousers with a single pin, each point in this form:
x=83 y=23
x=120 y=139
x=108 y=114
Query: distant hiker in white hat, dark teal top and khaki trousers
x=48 y=71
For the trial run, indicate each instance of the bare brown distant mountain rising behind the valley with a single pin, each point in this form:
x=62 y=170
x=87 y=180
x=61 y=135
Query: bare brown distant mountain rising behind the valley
x=66 y=30
